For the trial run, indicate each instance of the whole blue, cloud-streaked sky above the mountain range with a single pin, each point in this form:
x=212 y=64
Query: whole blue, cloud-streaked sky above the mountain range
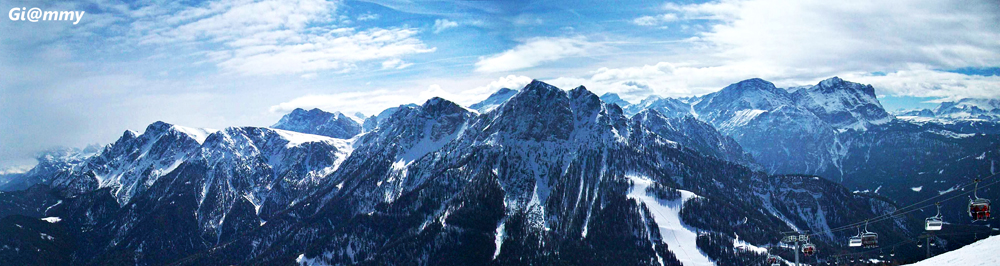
x=238 y=62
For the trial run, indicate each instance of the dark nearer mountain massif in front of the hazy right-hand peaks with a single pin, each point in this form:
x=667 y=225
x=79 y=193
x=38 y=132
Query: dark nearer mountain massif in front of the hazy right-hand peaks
x=547 y=177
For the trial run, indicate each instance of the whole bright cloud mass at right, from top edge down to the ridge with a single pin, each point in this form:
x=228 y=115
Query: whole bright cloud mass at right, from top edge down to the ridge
x=802 y=42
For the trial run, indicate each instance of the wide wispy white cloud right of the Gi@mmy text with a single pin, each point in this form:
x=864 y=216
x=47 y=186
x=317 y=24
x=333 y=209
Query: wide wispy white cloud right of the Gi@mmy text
x=277 y=37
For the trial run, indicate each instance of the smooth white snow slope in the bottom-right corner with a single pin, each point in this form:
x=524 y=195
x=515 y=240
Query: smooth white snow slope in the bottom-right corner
x=984 y=252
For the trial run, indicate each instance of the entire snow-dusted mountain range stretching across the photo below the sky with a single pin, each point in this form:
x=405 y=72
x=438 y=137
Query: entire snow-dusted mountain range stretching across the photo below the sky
x=539 y=176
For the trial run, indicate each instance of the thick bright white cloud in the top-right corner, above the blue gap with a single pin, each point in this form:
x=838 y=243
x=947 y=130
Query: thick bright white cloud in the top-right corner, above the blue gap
x=853 y=35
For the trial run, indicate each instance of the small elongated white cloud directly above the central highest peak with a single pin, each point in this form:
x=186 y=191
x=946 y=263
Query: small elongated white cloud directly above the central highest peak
x=535 y=52
